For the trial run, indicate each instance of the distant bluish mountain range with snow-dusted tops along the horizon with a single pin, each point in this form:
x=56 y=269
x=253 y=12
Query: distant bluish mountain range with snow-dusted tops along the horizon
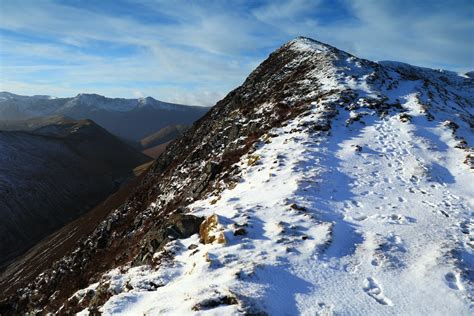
x=130 y=119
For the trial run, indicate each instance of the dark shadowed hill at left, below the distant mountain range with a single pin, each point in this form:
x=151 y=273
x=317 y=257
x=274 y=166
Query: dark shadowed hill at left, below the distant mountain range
x=54 y=173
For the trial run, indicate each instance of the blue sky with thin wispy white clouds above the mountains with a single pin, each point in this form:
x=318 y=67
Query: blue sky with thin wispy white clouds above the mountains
x=195 y=52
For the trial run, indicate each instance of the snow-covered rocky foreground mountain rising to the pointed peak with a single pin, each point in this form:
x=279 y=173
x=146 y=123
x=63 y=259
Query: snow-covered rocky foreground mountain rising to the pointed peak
x=328 y=184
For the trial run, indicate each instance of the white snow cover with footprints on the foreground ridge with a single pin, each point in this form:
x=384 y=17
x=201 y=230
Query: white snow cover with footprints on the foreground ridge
x=381 y=231
